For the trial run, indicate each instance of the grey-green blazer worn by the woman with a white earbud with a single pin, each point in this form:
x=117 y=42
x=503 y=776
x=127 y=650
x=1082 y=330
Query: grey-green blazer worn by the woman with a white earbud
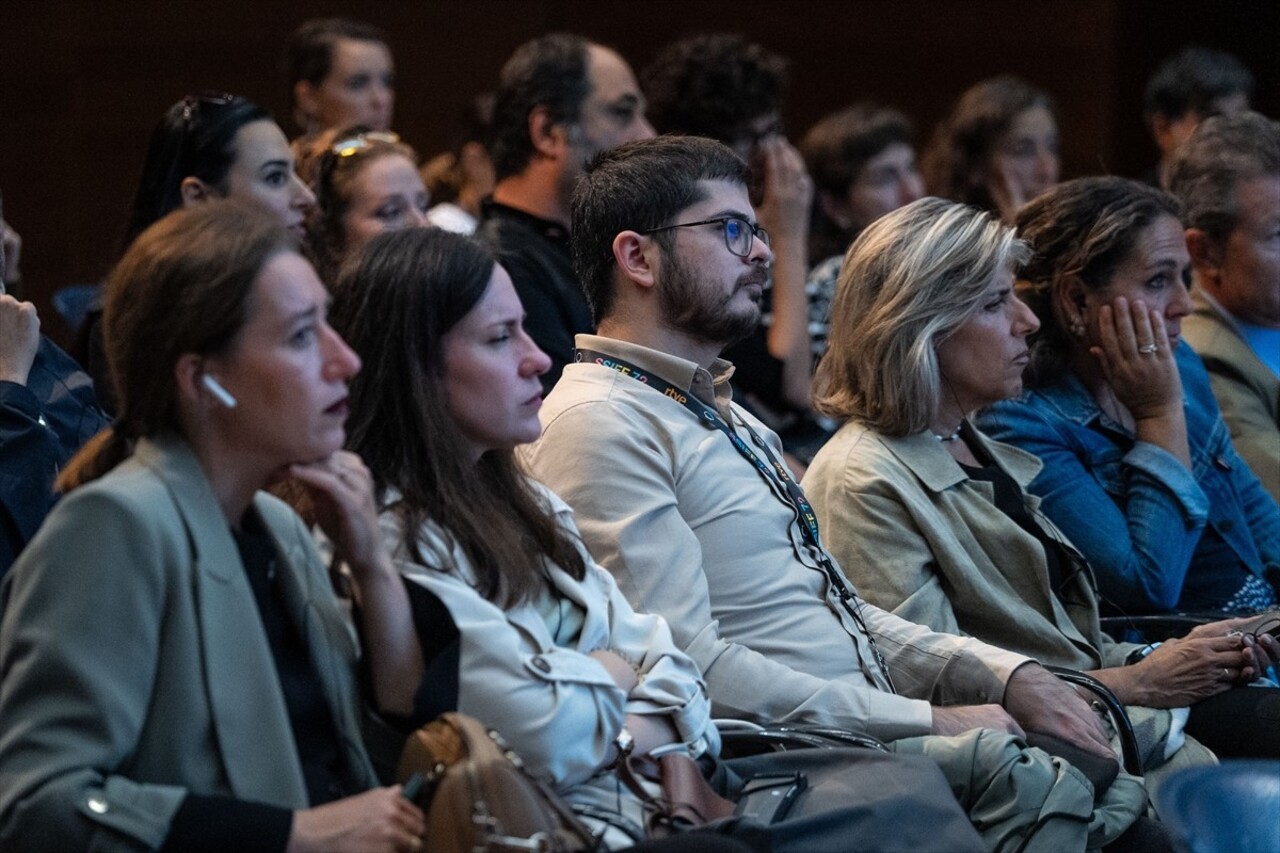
x=135 y=668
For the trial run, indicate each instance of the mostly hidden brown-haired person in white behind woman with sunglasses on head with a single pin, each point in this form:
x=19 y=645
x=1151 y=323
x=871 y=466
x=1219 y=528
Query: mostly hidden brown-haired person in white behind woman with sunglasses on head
x=463 y=177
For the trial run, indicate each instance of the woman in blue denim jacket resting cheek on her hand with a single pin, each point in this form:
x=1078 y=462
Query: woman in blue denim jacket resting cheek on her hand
x=1140 y=471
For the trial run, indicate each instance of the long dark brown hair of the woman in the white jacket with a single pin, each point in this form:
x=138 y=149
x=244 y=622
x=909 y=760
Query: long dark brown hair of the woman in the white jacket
x=394 y=303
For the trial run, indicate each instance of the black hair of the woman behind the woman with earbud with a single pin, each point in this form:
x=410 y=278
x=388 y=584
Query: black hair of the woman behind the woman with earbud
x=194 y=140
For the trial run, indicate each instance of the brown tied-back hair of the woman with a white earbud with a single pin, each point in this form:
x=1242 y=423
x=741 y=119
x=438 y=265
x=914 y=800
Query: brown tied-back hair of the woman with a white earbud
x=184 y=286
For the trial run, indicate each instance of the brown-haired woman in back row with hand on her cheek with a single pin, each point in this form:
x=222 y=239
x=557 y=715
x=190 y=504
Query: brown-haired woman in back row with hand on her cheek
x=998 y=149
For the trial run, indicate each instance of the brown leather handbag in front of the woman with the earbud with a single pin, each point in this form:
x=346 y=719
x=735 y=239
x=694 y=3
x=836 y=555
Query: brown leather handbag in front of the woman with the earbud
x=478 y=796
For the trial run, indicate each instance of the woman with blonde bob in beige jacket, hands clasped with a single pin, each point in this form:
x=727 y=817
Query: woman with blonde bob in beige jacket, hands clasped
x=931 y=519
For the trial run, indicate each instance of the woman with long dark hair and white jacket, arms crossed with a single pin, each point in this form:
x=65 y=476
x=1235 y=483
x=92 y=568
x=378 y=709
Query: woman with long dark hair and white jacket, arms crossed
x=520 y=627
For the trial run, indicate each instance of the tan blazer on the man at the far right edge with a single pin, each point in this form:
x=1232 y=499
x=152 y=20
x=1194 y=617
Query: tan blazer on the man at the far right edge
x=1247 y=391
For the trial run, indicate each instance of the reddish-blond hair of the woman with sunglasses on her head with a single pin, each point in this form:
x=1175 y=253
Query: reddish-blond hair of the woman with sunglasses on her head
x=331 y=175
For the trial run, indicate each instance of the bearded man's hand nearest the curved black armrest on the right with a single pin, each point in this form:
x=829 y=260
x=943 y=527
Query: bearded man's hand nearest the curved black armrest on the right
x=1043 y=703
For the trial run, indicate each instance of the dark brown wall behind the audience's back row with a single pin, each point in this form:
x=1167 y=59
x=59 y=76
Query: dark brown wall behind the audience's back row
x=84 y=81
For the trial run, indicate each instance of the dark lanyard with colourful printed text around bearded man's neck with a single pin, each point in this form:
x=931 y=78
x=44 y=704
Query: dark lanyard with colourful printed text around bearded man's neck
x=765 y=467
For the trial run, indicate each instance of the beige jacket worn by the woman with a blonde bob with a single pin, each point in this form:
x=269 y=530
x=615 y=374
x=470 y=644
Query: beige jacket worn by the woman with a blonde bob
x=924 y=541
